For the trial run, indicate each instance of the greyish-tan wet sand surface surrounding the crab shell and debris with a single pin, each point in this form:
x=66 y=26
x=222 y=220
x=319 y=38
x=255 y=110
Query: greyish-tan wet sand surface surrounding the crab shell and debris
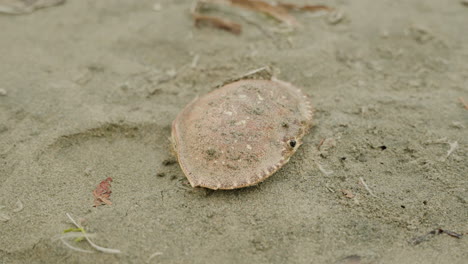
x=90 y=88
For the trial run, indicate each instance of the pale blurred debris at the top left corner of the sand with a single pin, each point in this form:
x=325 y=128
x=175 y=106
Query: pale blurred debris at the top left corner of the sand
x=20 y=7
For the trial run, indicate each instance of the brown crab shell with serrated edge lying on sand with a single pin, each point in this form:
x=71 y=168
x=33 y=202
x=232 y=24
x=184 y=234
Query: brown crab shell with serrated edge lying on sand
x=240 y=134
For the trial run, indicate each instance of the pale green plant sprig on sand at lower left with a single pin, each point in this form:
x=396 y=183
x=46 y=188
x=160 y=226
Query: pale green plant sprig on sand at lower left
x=79 y=234
